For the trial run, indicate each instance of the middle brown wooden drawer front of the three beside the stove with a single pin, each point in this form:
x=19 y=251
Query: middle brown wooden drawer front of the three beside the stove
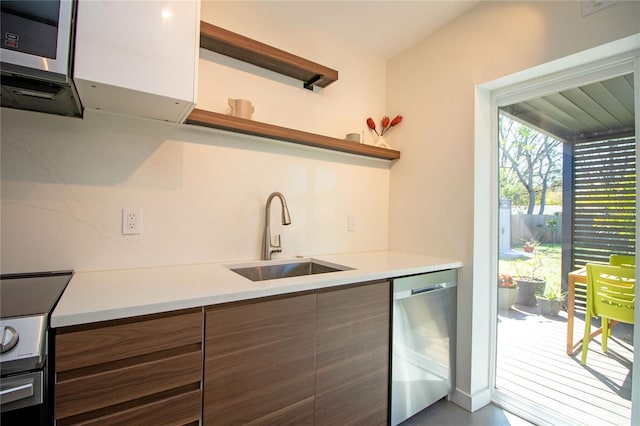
x=98 y=389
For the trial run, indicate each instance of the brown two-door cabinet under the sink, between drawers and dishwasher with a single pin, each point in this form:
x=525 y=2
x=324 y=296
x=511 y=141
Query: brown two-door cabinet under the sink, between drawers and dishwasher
x=314 y=358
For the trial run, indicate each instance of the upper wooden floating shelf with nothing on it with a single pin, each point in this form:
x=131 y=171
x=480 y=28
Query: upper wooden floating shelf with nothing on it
x=254 y=52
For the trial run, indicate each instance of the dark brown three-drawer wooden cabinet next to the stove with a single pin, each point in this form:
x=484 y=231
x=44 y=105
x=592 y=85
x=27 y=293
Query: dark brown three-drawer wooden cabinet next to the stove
x=146 y=370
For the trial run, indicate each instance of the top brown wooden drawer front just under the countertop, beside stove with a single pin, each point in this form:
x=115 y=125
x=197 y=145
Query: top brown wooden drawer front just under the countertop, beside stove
x=124 y=340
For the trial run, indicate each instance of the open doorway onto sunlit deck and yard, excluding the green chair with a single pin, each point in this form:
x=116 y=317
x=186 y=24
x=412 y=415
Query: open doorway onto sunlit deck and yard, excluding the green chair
x=567 y=191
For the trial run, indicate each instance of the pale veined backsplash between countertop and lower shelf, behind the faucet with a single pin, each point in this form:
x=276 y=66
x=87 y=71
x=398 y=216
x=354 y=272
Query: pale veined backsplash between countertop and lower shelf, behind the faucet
x=202 y=194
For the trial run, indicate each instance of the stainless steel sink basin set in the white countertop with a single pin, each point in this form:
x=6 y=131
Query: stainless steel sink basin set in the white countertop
x=286 y=270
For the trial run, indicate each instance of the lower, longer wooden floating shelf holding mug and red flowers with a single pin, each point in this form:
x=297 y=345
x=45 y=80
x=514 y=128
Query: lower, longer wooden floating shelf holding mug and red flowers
x=249 y=127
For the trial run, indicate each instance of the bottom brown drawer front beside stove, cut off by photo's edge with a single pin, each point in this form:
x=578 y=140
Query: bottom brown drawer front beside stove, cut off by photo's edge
x=175 y=410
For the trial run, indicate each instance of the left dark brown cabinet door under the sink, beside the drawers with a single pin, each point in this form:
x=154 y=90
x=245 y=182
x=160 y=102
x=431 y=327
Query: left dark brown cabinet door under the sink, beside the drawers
x=259 y=362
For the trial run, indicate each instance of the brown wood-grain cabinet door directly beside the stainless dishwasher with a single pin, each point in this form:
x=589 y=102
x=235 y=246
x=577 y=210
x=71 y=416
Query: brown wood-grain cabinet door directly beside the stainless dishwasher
x=352 y=355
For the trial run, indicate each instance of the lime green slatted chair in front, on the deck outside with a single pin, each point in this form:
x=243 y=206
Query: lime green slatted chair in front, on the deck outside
x=611 y=296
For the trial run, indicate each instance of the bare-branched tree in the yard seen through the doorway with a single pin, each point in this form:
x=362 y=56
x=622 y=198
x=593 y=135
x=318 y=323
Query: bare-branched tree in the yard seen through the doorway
x=530 y=164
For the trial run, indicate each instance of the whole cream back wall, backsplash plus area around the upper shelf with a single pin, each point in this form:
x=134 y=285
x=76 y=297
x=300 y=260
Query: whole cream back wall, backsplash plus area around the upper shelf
x=201 y=191
